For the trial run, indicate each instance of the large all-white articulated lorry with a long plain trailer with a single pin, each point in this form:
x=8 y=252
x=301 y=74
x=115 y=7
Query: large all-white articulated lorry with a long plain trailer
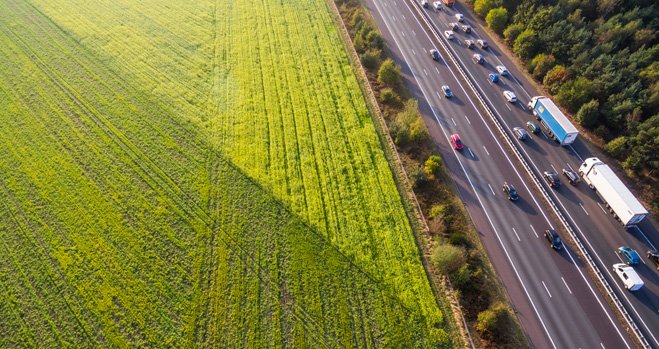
x=619 y=200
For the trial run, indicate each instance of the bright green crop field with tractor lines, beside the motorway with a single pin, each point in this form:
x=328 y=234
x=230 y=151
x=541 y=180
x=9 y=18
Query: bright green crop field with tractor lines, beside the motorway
x=196 y=174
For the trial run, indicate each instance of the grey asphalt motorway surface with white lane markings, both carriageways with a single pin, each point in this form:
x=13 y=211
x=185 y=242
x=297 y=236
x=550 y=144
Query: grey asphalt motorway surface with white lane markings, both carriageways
x=557 y=303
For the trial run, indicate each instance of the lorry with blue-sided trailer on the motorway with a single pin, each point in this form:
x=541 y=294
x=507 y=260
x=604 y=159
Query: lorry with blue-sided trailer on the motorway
x=557 y=125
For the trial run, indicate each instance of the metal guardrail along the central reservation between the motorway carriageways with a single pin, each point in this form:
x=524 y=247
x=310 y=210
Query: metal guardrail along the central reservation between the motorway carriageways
x=534 y=178
